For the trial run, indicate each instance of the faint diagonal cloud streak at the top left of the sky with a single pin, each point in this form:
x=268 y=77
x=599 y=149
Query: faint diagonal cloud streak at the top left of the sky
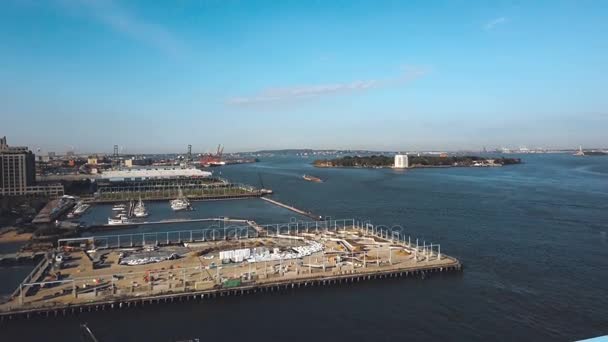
x=122 y=22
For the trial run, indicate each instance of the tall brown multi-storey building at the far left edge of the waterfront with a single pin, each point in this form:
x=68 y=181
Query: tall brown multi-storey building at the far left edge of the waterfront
x=18 y=173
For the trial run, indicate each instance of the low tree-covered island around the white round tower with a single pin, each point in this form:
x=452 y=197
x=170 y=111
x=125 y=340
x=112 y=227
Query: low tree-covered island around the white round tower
x=422 y=161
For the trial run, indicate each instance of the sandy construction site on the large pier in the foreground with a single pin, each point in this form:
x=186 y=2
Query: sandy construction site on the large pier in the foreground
x=95 y=272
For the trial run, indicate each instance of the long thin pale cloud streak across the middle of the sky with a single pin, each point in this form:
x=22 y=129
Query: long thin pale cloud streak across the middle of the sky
x=286 y=94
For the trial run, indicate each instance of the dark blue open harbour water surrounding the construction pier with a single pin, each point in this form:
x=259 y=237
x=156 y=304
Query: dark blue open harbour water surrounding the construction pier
x=532 y=237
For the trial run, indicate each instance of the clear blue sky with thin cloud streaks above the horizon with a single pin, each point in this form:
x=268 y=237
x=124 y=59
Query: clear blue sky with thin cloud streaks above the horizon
x=155 y=76
